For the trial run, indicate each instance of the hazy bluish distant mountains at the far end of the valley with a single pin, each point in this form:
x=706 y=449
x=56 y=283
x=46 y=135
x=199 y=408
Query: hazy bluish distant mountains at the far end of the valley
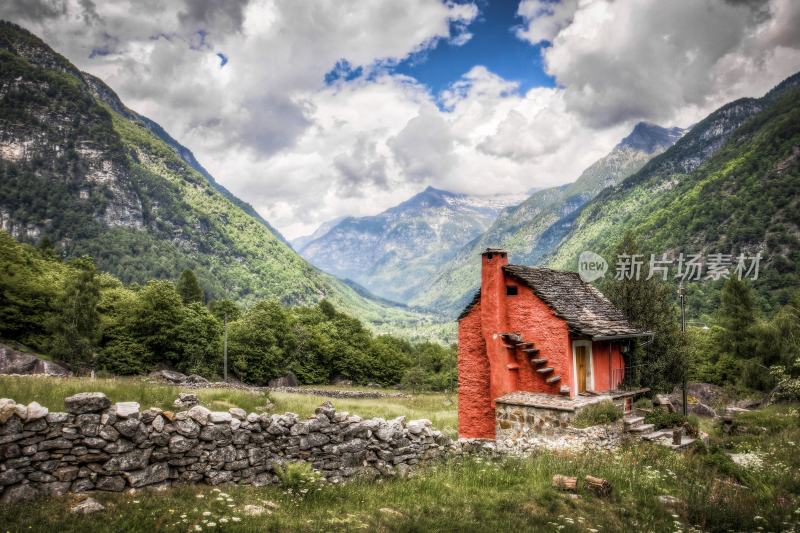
x=397 y=253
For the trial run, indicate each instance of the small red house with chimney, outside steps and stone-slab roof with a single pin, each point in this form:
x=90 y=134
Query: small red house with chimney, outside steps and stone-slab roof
x=536 y=330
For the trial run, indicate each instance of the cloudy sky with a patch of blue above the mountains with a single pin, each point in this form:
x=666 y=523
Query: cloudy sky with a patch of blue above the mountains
x=313 y=109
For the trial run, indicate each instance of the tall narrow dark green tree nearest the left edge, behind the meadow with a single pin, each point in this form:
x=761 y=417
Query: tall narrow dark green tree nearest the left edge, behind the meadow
x=76 y=327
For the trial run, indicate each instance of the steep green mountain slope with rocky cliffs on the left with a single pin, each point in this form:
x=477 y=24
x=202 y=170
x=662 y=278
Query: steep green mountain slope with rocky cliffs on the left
x=78 y=168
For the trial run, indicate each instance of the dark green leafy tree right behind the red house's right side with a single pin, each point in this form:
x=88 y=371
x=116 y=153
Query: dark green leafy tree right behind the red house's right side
x=649 y=304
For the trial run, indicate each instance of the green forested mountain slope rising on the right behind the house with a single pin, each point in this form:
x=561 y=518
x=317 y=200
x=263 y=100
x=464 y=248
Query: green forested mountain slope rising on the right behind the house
x=730 y=186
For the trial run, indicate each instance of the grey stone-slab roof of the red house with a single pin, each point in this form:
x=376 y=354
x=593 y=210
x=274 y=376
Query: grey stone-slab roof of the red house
x=583 y=307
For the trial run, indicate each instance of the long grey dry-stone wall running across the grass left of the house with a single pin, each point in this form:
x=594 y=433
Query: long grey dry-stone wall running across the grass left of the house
x=99 y=446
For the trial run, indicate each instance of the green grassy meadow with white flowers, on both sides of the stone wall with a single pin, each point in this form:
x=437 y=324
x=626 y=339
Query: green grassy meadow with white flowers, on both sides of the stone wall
x=710 y=491
